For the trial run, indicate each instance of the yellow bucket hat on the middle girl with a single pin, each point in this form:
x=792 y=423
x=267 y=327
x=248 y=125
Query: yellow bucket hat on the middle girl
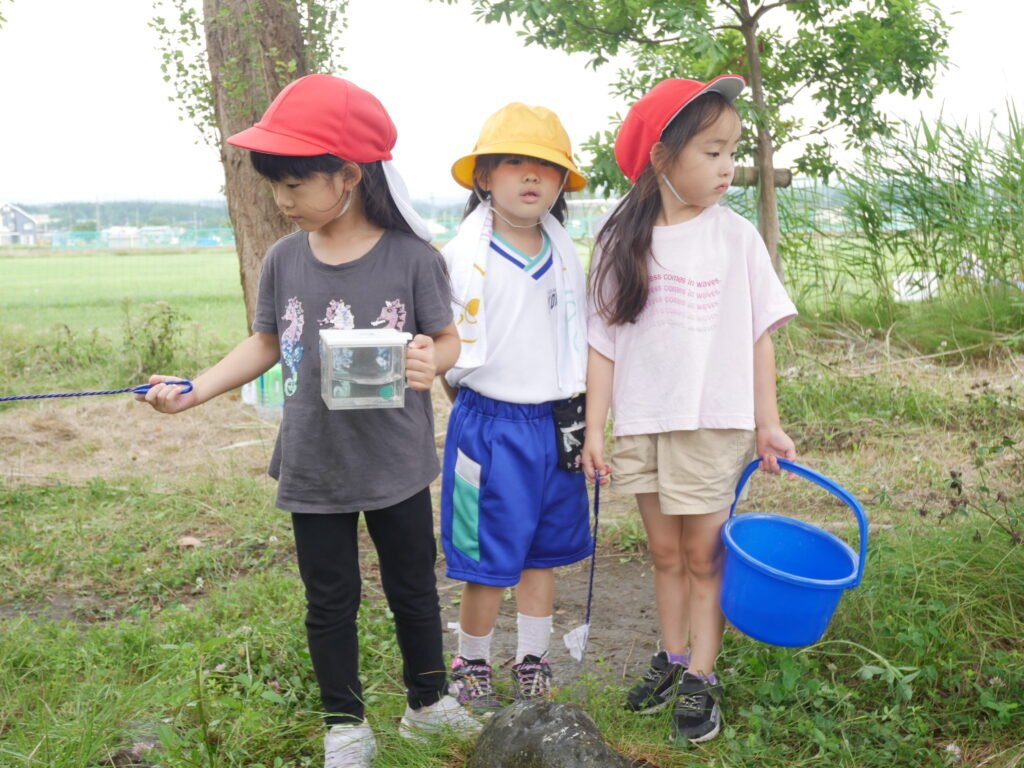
x=519 y=130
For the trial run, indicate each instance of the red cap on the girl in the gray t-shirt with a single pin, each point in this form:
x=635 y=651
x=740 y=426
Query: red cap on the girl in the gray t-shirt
x=323 y=115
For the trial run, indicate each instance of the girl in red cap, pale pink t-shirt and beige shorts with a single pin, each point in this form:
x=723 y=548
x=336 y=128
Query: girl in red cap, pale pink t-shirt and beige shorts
x=682 y=306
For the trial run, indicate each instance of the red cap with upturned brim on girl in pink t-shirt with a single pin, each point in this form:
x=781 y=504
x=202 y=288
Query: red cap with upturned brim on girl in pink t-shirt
x=649 y=118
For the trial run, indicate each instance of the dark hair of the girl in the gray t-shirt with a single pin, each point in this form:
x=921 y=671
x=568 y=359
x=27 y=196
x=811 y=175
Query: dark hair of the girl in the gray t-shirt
x=380 y=208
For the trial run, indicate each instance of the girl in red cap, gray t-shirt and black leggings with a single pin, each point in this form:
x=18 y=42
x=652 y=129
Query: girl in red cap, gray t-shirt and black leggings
x=360 y=259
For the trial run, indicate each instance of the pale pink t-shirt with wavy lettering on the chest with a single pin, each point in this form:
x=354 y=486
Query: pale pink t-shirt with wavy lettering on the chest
x=688 y=362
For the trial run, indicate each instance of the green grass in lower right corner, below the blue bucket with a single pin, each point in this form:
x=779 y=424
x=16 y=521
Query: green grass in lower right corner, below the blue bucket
x=922 y=656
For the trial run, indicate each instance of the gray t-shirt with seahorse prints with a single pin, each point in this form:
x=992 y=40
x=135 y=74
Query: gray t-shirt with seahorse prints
x=349 y=461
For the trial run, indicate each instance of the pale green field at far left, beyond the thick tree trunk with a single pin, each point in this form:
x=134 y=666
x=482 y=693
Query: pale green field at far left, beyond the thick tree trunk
x=101 y=321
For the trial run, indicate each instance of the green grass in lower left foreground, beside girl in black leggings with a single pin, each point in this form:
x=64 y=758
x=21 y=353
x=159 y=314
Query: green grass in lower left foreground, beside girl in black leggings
x=200 y=649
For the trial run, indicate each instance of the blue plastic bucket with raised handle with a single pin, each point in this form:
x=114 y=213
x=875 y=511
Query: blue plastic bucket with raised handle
x=783 y=578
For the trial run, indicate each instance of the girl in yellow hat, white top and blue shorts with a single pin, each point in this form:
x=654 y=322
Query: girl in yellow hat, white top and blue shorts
x=515 y=500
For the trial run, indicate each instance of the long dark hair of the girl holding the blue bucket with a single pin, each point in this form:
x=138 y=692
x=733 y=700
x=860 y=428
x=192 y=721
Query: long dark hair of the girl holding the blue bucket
x=625 y=239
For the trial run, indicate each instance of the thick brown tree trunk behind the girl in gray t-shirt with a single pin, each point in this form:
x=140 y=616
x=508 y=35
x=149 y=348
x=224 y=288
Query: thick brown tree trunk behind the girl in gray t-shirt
x=250 y=47
